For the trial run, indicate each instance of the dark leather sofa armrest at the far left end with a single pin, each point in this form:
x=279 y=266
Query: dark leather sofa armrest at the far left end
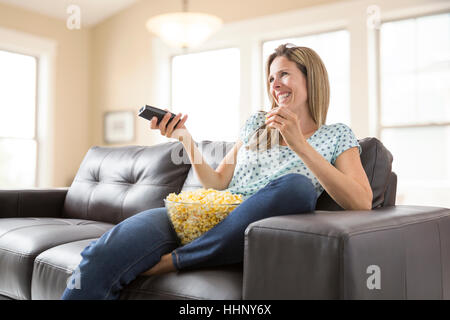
x=32 y=202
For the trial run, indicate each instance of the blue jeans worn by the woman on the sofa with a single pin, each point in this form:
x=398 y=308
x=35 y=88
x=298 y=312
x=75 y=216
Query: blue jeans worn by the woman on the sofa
x=137 y=243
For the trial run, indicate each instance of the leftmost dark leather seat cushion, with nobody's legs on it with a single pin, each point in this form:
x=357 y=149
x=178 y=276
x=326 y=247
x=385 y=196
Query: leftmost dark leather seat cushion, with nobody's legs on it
x=22 y=239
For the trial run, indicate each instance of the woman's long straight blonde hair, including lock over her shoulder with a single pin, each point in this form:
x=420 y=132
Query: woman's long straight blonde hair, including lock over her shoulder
x=317 y=85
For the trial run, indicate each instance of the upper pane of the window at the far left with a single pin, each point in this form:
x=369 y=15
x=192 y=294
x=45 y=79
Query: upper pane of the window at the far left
x=17 y=95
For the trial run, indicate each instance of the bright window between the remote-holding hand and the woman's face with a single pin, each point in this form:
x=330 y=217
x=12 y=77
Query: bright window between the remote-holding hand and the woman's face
x=206 y=86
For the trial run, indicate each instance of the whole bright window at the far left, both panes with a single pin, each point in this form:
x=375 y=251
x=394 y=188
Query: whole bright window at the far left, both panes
x=18 y=147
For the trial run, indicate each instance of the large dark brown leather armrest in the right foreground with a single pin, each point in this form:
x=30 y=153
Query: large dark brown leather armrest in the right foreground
x=399 y=252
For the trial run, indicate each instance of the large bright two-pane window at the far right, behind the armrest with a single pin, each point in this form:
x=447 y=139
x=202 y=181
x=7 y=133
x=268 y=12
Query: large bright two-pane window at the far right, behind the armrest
x=415 y=106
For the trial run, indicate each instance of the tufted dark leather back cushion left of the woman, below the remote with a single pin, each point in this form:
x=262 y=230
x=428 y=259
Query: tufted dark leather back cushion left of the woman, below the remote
x=113 y=184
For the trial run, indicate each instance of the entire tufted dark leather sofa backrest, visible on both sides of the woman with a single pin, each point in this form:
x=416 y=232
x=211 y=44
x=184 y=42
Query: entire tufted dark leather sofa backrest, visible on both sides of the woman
x=114 y=183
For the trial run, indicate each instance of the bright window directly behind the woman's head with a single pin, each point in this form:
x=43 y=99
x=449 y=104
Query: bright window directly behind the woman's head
x=334 y=50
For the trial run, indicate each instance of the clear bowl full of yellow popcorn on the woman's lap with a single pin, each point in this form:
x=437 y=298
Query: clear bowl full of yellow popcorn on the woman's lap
x=192 y=213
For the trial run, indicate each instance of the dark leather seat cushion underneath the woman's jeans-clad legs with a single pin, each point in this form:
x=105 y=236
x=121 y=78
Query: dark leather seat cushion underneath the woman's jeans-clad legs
x=54 y=266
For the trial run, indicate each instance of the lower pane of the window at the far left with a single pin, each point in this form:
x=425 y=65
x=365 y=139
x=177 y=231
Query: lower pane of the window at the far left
x=17 y=163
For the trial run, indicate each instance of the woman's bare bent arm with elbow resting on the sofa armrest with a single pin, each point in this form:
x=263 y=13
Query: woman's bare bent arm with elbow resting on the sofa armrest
x=346 y=182
